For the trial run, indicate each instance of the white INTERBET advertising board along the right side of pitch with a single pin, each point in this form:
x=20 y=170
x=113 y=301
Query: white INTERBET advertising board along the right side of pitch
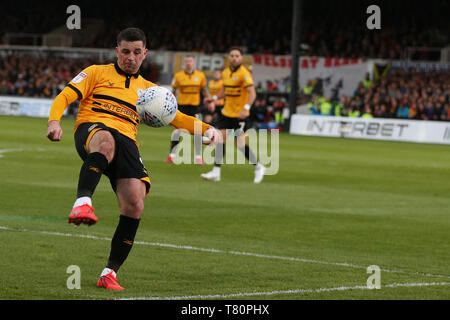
x=374 y=129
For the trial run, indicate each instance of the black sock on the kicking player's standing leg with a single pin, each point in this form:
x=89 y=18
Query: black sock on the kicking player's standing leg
x=122 y=241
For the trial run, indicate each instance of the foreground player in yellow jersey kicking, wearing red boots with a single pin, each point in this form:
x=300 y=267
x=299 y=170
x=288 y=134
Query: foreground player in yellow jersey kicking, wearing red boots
x=105 y=139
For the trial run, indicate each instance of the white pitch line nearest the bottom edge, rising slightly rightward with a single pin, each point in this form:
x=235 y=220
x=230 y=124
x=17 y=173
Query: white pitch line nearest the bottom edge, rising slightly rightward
x=293 y=291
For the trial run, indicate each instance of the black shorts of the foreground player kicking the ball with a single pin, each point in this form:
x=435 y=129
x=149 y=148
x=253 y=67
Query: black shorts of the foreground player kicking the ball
x=127 y=162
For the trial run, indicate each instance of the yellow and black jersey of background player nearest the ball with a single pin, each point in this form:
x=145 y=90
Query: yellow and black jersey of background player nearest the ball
x=189 y=86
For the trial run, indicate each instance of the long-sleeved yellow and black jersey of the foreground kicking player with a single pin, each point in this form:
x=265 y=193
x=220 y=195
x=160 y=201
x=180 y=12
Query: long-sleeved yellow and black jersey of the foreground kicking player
x=109 y=95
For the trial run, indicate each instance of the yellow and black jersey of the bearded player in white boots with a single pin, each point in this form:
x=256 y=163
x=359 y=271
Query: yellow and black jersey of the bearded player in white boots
x=234 y=83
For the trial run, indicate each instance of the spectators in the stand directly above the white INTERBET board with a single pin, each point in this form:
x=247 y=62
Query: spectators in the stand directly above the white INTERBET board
x=403 y=94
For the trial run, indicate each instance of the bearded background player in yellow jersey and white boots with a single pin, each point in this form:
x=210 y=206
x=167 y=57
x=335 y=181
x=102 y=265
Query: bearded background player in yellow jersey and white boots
x=239 y=93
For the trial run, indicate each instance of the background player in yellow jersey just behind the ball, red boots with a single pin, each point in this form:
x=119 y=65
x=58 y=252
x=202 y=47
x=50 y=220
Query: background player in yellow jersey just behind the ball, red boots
x=189 y=83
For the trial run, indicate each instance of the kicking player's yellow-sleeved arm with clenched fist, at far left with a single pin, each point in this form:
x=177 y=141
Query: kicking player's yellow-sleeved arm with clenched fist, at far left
x=61 y=102
